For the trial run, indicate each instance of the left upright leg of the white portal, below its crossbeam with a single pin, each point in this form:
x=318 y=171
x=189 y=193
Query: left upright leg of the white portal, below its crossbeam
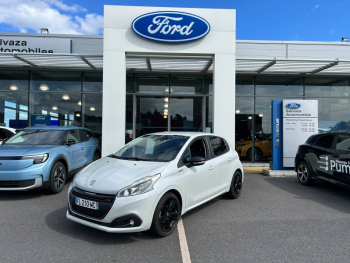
x=114 y=100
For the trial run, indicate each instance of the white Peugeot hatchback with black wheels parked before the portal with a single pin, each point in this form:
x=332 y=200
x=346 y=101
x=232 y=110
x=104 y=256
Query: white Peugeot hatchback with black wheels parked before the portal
x=153 y=180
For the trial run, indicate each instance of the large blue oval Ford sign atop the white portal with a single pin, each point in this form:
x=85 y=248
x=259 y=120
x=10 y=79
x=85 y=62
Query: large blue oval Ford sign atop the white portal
x=170 y=27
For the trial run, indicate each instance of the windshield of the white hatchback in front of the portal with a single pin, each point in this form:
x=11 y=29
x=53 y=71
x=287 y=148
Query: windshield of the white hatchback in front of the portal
x=155 y=148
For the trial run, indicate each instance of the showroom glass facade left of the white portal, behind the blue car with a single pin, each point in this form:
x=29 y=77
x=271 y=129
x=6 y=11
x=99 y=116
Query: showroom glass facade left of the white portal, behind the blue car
x=70 y=98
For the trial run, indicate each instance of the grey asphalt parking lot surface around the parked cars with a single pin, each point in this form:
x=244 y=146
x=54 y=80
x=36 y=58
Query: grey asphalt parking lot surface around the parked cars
x=274 y=220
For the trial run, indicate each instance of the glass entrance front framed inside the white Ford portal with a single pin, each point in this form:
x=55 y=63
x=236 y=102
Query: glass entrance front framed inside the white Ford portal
x=168 y=102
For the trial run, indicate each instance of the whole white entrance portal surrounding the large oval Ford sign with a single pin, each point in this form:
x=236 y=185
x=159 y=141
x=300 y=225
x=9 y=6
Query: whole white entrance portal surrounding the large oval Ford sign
x=120 y=39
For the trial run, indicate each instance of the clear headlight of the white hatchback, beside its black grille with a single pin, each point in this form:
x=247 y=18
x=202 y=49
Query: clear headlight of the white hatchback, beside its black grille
x=141 y=186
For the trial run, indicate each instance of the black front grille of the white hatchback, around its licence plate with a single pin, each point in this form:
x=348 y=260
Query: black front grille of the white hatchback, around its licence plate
x=105 y=203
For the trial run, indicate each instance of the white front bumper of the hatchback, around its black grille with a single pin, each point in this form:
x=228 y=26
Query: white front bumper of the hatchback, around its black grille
x=141 y=206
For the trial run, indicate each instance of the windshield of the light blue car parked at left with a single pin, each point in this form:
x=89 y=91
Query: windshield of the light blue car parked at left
x=37 y=137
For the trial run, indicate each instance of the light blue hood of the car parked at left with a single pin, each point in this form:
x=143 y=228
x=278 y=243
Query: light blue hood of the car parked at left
x=21 y=150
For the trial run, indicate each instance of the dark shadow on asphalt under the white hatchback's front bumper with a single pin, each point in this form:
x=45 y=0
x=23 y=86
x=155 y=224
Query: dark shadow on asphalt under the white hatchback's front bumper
x=58 y=222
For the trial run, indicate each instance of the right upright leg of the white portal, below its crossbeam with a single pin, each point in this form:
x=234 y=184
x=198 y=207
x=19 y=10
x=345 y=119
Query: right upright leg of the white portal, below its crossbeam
x=224 y=76
